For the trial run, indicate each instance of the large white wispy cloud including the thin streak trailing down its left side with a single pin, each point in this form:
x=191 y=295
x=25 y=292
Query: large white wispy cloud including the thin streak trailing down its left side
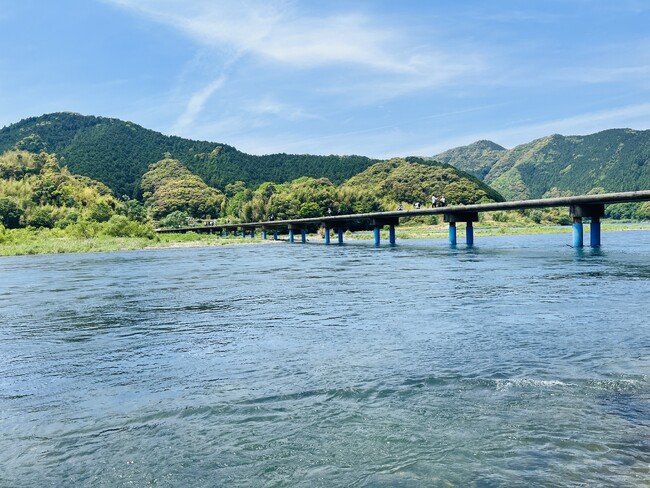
x=376 y=61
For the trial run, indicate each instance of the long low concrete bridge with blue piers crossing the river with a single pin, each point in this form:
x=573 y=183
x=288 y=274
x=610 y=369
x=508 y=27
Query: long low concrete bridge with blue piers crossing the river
x=583 y=206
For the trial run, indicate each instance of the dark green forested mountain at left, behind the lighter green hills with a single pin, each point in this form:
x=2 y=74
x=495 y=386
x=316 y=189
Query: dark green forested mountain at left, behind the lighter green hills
x=118 y=153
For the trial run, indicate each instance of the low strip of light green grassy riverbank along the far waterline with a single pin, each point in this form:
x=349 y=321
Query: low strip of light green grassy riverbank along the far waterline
x=42 y=242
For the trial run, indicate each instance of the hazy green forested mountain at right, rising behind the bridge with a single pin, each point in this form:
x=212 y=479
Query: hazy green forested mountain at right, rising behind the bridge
x=608 y=161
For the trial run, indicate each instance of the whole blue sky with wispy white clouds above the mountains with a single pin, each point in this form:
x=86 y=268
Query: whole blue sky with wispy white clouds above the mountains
x=371 y=77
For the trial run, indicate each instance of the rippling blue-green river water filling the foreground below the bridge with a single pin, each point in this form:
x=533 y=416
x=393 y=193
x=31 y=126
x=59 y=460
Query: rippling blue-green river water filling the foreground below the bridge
x=519 y=362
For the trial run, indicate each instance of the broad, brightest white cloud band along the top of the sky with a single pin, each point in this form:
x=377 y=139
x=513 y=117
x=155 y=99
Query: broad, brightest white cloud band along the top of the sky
x=278 y=31
